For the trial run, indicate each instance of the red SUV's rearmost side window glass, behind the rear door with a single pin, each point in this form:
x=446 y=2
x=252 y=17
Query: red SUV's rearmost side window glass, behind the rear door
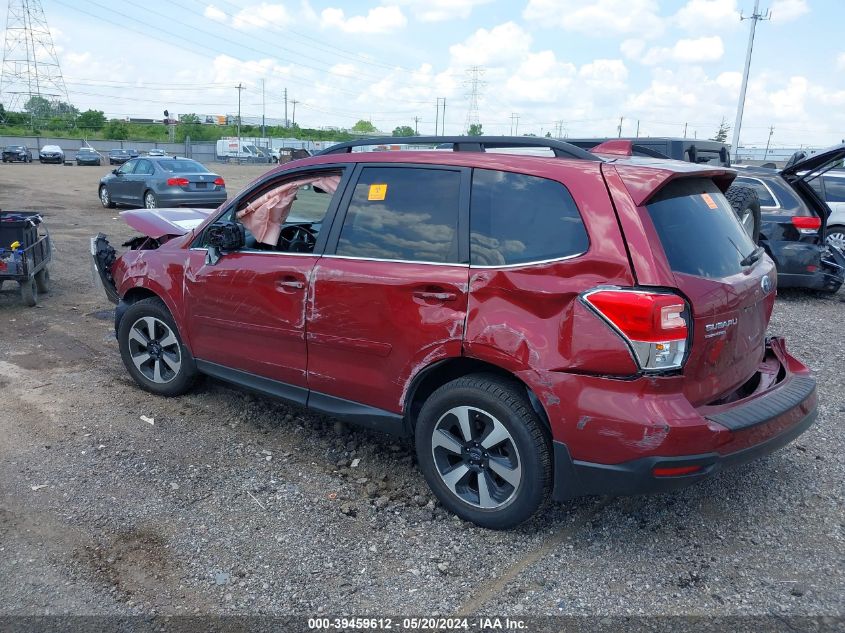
x=517 y=219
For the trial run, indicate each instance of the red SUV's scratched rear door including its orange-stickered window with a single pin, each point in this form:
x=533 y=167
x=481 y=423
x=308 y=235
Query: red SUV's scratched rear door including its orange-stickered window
x=392 y=296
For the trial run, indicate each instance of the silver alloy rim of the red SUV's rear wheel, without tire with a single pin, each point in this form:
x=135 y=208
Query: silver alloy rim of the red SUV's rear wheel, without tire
x=476 y=457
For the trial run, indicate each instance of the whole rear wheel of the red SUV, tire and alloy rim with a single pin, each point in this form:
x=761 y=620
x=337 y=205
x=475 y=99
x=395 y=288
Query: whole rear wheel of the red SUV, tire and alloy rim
x=482 y=450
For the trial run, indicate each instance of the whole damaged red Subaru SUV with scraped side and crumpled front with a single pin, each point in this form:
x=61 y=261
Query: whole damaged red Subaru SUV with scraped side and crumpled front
x=582 y=323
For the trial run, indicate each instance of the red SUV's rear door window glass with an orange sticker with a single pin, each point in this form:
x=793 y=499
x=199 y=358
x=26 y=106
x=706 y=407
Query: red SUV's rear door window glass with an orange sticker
x=403 y=213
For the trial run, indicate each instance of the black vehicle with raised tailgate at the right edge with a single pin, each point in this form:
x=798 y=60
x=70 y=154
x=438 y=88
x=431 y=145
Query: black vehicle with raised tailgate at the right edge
x=794 y=221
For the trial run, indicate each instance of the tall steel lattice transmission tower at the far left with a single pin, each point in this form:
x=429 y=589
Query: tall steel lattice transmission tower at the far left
x=30 y=65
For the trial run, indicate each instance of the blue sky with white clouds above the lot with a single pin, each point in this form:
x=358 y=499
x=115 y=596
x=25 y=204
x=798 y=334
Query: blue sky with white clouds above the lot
x=574 y=65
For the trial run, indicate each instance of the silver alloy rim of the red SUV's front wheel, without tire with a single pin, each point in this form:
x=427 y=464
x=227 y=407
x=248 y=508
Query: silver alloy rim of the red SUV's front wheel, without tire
x=154 y=350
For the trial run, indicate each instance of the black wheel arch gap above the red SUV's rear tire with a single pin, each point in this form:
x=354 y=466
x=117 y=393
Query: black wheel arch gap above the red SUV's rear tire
x=438 y=373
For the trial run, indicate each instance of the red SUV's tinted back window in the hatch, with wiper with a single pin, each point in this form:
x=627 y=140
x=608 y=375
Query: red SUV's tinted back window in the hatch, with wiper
x=698 y=229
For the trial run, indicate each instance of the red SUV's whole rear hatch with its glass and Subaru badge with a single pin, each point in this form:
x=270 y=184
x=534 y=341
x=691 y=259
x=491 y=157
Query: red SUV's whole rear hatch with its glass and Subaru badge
x=728 y=282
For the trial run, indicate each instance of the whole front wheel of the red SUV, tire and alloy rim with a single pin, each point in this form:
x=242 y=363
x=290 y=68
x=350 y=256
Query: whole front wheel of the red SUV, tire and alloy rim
x=152 y=349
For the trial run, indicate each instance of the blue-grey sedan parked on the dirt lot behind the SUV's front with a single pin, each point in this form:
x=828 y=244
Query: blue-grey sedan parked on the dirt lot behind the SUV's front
x=162 y=181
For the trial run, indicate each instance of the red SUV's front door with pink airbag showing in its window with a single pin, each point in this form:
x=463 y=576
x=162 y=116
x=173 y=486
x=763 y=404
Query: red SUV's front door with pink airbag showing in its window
x=247 y=310
